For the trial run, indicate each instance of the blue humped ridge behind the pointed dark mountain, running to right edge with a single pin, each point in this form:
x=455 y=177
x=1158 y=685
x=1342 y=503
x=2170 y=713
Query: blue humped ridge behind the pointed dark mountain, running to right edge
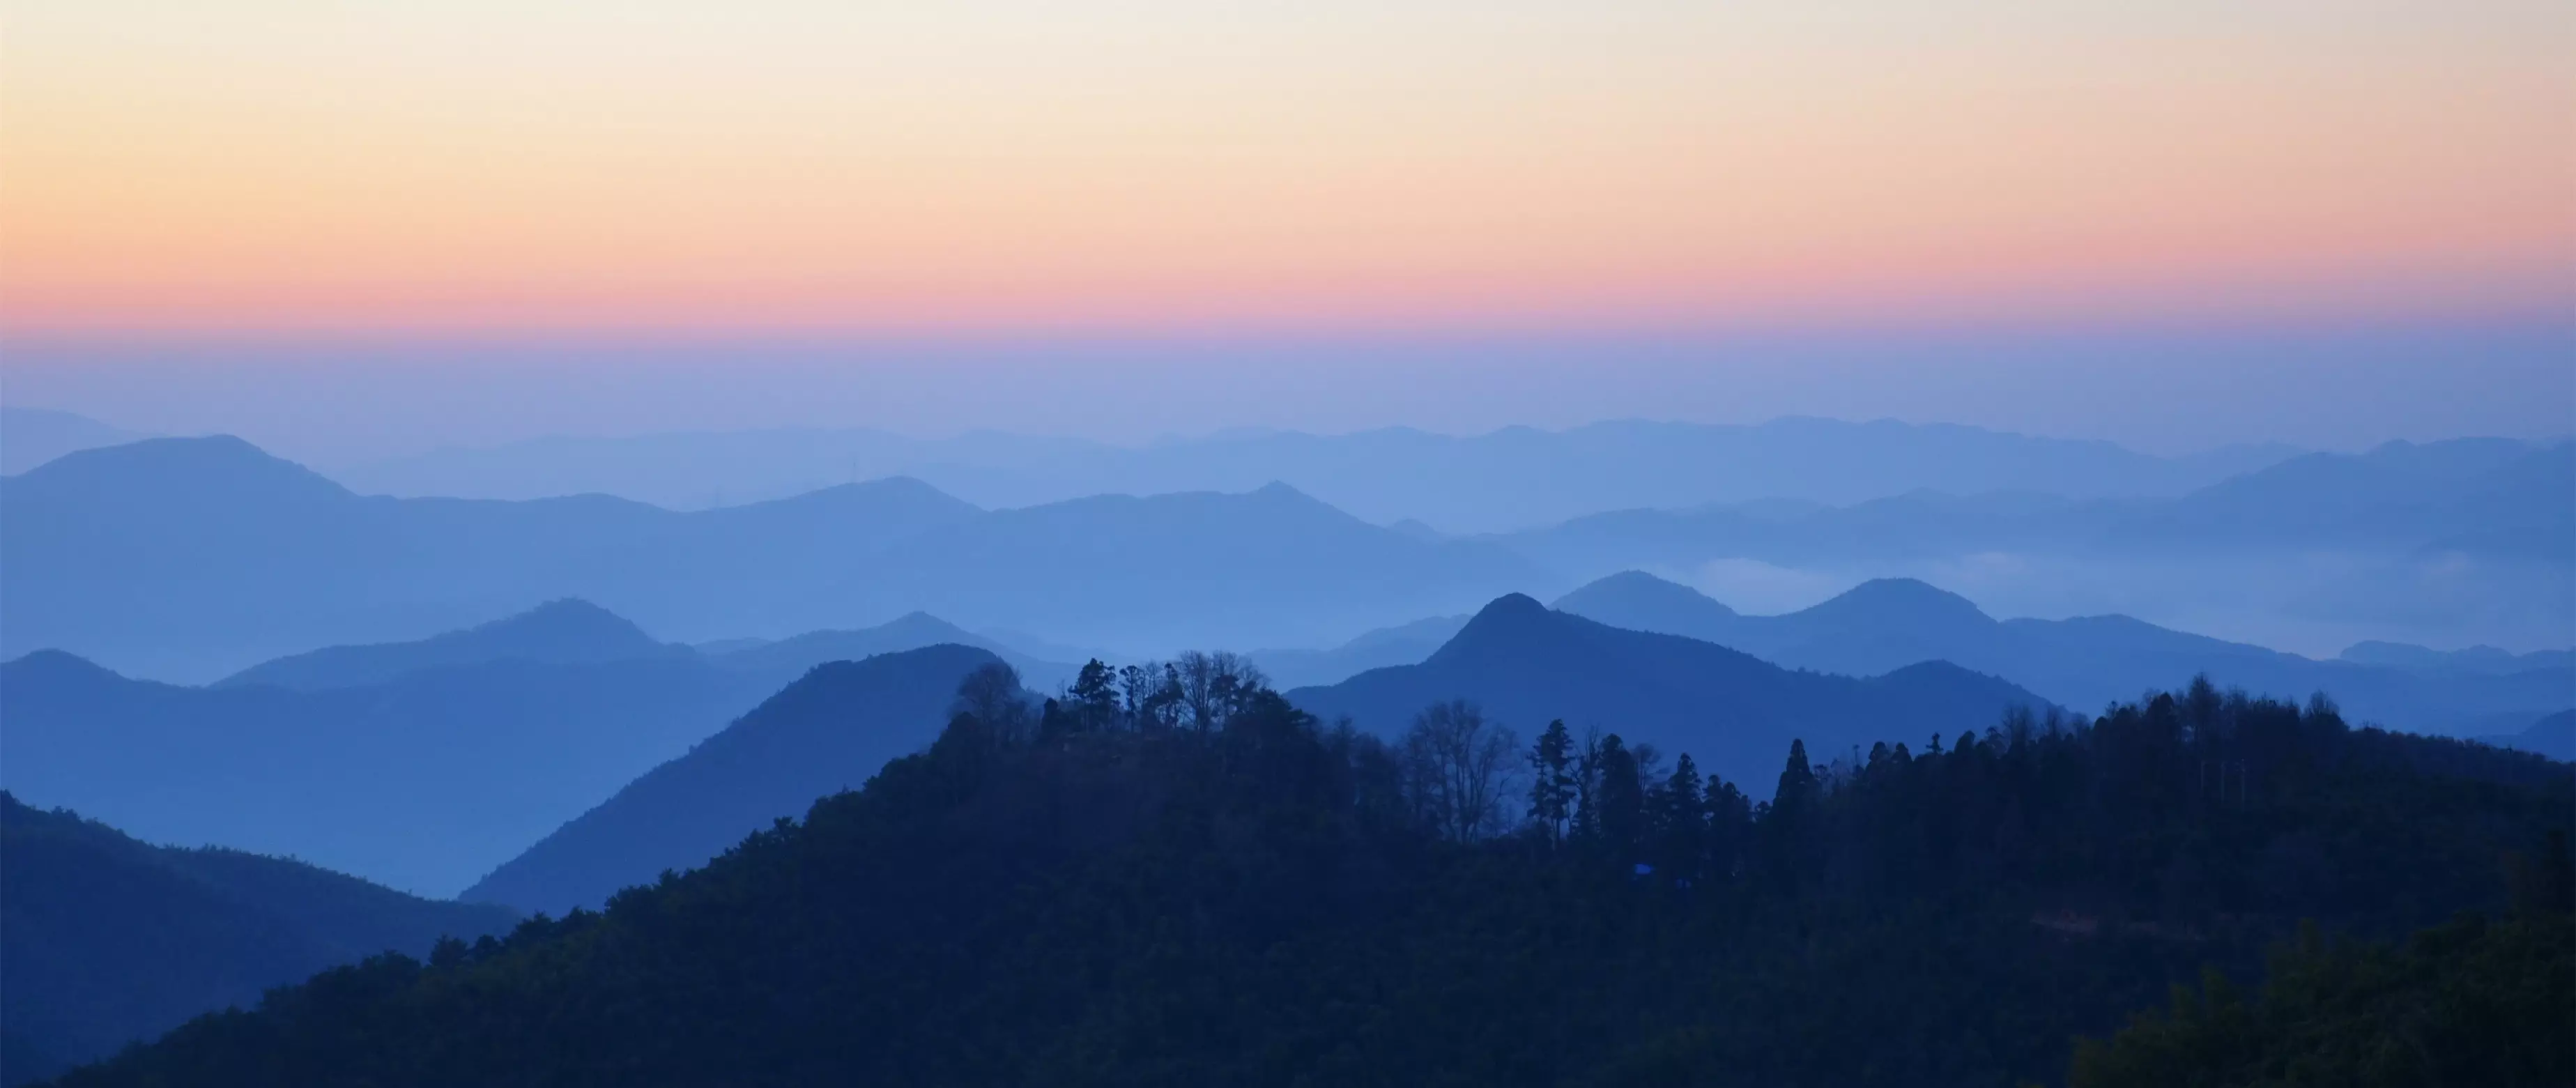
x=2072 y=661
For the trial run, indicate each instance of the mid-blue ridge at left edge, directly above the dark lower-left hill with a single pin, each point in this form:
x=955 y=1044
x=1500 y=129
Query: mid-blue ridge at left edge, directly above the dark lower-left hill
x=419 y=782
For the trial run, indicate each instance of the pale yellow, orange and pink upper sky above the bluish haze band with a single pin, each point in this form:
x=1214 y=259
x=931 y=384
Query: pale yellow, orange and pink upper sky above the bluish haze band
x=1127 y=164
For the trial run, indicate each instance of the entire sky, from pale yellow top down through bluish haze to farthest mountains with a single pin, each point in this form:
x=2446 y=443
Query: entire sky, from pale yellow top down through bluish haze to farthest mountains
x=862 y=213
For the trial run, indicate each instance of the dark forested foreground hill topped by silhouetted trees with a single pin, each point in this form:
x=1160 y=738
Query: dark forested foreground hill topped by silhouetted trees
x=1094 y=896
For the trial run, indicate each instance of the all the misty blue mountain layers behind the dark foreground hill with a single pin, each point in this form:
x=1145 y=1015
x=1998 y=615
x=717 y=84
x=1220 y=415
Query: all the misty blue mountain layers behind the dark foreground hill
x=540 y=703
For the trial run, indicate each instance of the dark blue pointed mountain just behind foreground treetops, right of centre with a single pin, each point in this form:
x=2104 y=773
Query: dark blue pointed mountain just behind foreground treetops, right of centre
x=1735 y=713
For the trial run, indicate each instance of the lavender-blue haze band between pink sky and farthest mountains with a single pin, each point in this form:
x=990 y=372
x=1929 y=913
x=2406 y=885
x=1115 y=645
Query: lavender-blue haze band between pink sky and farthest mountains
x=2160 y=393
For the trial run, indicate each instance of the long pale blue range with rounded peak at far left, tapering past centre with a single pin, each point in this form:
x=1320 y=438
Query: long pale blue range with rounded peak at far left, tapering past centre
x=192 y=558
